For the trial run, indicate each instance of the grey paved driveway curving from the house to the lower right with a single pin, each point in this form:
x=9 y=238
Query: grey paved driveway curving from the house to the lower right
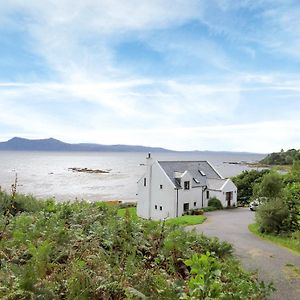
x=273 y=263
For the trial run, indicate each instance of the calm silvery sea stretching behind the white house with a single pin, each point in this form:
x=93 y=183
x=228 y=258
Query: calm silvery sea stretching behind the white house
x=47 y=174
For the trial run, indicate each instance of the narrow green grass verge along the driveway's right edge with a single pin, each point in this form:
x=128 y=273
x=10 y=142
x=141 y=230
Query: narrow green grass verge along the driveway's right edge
x=284 y=241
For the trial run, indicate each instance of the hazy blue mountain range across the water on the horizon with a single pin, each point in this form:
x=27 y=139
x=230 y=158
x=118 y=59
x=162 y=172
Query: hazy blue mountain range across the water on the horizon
x=21 y=144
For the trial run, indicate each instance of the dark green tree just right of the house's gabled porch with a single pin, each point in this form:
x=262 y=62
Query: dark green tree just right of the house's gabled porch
x=245 y=183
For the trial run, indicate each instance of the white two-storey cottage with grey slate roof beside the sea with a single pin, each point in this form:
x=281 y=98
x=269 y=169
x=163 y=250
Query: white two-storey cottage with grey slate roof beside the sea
x=169 y=188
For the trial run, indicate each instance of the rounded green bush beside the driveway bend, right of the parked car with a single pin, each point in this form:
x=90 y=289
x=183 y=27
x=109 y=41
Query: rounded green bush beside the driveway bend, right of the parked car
x=272 y=216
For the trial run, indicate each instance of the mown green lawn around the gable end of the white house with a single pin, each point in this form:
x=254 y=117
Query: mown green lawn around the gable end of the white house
x=183 y=220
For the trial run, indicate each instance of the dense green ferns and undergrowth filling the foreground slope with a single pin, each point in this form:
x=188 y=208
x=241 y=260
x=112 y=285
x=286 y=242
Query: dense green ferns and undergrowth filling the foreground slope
x=89 y=251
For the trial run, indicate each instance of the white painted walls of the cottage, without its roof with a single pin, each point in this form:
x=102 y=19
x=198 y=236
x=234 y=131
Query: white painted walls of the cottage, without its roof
x=152 y=197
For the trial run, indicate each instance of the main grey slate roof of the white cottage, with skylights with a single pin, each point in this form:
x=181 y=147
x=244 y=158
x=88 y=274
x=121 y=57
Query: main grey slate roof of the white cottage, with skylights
x=193 y=167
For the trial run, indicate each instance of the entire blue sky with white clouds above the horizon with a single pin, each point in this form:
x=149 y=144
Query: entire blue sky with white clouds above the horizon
x=181 y=74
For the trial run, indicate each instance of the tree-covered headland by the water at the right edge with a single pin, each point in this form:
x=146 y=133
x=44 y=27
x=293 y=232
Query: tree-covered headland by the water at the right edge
x=282 y=157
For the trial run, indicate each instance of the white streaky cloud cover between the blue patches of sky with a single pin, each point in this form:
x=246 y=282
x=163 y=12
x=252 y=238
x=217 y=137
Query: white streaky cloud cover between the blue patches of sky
x=75 y=40
